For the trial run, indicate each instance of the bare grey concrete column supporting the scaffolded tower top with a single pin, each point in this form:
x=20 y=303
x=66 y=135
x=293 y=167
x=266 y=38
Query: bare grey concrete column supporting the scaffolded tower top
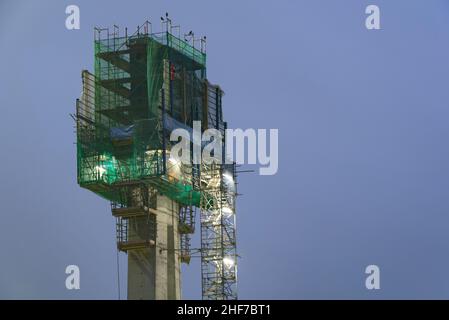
x=154 y=273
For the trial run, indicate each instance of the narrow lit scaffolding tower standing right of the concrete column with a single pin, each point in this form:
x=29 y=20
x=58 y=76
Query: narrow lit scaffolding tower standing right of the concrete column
x=218 y=242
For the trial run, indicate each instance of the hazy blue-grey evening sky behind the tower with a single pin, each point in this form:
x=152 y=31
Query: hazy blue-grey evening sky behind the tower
x=363 y=159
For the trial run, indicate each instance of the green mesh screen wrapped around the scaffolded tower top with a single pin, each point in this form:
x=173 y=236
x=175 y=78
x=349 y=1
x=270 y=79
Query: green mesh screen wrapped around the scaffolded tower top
x=120 y=129
